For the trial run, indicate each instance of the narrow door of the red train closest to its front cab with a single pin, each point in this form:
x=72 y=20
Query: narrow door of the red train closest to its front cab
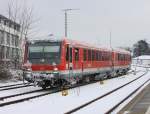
x=69 y=56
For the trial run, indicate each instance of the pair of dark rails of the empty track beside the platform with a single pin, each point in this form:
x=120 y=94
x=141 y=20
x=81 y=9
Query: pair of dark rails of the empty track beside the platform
x=108 y=93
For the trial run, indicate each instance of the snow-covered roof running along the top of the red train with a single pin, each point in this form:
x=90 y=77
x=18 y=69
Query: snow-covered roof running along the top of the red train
x=80 y=44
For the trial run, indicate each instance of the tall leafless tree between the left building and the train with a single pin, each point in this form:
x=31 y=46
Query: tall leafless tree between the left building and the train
x=23 y=15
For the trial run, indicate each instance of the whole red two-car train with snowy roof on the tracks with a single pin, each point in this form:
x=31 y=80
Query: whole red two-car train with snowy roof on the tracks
x=60 y=62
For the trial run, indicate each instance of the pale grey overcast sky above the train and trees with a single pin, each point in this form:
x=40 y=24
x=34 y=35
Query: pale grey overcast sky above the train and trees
x=128 y=20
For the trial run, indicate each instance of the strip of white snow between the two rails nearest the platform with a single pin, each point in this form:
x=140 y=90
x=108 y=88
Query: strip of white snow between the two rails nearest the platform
x=108 y=102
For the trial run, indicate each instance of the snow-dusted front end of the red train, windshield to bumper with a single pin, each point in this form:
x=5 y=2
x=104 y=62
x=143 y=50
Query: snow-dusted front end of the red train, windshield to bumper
x=42 y=62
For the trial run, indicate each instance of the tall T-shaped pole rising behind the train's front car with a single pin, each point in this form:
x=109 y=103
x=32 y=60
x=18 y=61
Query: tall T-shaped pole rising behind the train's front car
x=66 y=20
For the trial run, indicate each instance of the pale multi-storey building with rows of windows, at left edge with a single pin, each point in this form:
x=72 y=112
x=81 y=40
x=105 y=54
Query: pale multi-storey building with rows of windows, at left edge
x=10 y=43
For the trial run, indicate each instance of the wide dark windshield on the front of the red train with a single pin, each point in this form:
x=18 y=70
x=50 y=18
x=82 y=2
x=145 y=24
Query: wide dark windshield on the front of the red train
x=44 y=53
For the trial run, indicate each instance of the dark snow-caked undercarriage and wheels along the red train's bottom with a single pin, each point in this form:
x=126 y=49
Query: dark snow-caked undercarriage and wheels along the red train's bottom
x=56 y=79
